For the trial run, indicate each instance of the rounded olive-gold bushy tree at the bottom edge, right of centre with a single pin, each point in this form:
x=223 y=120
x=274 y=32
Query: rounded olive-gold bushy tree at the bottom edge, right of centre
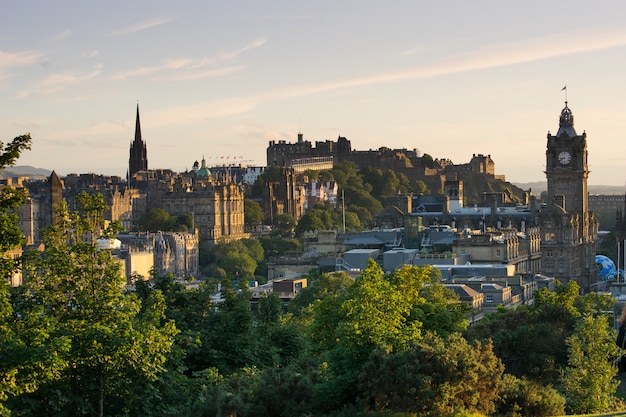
x=439 y=377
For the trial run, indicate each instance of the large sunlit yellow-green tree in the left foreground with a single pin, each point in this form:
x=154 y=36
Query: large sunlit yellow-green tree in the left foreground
x=113 y=349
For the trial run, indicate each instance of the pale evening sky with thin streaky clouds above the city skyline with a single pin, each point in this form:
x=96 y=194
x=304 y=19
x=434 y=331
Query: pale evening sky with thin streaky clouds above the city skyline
x=220 y=79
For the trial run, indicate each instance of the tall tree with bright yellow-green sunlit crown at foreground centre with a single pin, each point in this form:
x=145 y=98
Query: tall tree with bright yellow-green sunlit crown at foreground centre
x=376 y=312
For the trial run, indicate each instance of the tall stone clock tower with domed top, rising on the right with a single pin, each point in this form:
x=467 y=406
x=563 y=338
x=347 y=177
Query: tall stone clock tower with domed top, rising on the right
x=568 y=230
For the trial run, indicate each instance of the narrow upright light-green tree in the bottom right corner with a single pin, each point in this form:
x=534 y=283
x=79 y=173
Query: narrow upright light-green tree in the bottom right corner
x=589 y=379
